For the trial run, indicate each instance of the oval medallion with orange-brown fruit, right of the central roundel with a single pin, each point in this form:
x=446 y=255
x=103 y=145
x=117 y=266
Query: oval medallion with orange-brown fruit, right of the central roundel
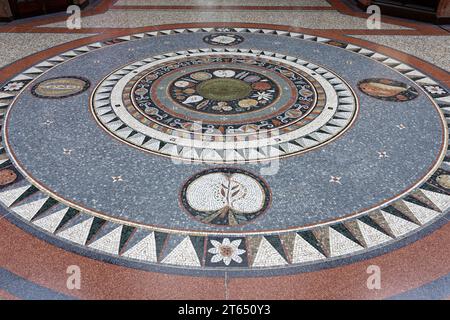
x=387 y=89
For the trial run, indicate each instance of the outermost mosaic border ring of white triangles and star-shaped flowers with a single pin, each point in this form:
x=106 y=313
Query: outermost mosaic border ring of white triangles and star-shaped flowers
x=401 y=218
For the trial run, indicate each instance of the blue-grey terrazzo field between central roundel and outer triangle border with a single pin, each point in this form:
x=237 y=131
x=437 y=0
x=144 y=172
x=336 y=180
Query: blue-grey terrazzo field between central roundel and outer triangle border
x=302 y=193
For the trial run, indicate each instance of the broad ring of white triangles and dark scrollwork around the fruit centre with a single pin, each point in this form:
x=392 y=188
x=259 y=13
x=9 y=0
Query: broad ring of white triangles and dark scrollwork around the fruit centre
x=292 y=118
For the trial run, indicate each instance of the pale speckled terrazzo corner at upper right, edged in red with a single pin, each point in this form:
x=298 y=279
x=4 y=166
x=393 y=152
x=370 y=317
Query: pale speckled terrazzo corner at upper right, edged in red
x=434 y=49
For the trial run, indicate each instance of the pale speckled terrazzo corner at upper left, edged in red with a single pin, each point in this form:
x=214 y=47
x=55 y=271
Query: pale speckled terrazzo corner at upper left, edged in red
x=15 y=46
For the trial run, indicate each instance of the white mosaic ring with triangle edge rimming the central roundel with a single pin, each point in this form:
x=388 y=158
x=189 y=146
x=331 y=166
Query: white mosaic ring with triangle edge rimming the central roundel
x=281 y=133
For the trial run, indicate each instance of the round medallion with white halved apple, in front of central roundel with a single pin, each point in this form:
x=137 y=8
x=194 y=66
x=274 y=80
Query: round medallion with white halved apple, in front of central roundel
x=225 y=196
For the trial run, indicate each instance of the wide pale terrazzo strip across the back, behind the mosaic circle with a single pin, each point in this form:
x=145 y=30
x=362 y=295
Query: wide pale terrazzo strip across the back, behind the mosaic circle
x=141 y=18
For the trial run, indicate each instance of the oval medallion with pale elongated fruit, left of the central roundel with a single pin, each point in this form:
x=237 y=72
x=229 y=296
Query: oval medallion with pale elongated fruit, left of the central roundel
x=61 y=87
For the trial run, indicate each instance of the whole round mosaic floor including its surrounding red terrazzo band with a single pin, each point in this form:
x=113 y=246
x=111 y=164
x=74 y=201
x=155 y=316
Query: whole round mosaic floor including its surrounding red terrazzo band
x=224 y=155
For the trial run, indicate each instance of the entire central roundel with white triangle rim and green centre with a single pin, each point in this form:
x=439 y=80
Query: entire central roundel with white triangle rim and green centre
x=225 y=107
